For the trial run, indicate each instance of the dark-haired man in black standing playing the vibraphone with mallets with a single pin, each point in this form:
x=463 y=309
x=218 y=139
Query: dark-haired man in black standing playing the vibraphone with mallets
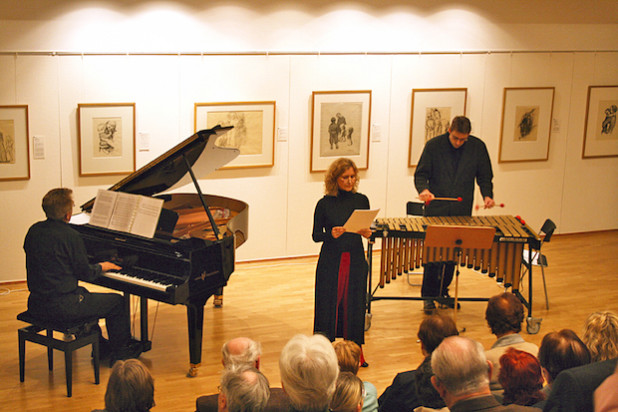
x=448 y=167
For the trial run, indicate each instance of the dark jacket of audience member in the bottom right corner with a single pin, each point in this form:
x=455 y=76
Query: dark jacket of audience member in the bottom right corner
x=573 y=388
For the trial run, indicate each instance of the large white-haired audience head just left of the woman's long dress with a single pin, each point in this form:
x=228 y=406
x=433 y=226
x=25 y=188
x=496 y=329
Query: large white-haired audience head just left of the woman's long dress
x=309 y=370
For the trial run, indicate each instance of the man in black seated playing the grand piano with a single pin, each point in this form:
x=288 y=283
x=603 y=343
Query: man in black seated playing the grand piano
x=55 y=261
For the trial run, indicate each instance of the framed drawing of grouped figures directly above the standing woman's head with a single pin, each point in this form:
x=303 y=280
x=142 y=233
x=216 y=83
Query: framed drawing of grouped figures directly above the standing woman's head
x=340 y=128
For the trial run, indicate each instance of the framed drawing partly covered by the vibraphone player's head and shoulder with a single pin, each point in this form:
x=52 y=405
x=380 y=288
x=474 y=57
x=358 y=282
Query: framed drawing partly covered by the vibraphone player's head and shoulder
x=432 y=111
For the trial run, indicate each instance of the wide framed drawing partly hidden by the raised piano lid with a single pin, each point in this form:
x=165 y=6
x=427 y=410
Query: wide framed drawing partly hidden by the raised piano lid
x=253 y=133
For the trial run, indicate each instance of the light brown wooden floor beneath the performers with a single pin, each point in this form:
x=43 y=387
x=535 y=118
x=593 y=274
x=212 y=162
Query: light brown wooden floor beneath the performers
x=272 y=301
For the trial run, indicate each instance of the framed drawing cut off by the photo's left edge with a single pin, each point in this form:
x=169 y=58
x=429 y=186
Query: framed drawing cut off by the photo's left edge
x=14 y=149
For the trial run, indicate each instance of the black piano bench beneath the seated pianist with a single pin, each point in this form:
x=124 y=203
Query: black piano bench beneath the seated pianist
x=85 y=332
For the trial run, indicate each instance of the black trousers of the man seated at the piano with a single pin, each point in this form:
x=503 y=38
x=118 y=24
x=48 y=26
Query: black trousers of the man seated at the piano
x=82 y=305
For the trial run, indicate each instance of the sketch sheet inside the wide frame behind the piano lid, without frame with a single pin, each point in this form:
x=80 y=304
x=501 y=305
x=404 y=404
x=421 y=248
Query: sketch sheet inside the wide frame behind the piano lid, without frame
x=247 y=134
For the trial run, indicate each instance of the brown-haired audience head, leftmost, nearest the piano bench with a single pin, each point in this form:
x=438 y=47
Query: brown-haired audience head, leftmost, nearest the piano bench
x=130 y=388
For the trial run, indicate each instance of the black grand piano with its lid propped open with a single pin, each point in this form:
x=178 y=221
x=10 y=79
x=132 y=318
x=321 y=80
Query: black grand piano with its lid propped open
x=191 y=256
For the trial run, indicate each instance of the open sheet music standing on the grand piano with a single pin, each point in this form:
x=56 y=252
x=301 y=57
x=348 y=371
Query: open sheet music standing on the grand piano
x=126 y=212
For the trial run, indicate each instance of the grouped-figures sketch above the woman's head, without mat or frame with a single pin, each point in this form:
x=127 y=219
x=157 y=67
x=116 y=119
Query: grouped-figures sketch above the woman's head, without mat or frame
x=338 y=125
